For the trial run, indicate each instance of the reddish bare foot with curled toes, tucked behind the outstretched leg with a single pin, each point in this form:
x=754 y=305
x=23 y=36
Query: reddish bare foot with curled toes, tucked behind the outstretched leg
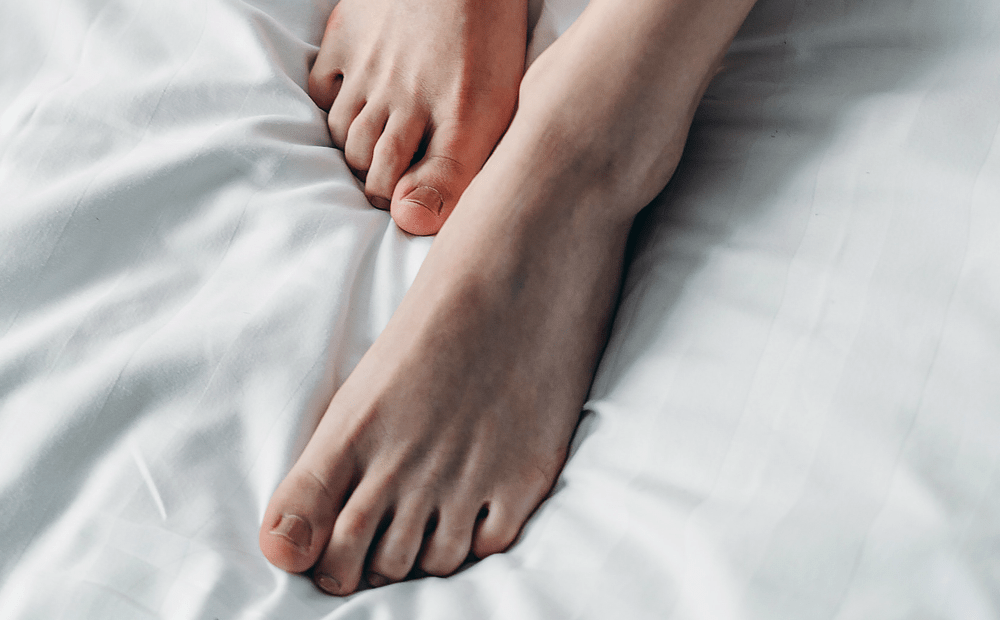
x=418 y=93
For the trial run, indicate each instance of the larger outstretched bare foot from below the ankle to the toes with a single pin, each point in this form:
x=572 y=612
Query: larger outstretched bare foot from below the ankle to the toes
x=455 y=424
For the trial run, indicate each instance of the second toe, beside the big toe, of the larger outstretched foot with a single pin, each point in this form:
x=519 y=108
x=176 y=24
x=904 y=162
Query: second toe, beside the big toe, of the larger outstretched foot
x=338 y=571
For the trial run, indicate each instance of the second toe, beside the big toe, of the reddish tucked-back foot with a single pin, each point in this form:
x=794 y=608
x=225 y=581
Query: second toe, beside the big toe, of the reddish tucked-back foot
x=393 y=154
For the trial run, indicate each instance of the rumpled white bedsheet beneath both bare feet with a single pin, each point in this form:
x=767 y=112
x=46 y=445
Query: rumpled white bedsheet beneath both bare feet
x=798 y=415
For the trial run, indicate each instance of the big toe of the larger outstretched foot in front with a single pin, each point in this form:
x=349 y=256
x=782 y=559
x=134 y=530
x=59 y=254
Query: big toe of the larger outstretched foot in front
x=297 y=522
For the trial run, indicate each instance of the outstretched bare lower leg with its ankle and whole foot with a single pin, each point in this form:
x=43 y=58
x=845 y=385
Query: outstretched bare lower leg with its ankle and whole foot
x=456 y=423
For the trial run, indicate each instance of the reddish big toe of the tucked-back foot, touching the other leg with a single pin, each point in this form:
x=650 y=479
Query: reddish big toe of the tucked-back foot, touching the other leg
x=427 y=193
